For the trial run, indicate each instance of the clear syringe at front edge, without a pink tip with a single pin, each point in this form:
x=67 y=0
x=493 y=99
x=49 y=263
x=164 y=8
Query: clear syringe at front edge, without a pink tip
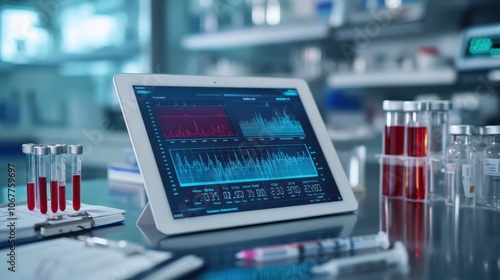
x=381 y=259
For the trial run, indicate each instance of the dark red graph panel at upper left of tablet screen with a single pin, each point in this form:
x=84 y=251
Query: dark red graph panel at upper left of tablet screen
x=194 y=122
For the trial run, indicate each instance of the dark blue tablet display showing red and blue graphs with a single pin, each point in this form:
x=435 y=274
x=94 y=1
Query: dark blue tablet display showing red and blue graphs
x=223 y=150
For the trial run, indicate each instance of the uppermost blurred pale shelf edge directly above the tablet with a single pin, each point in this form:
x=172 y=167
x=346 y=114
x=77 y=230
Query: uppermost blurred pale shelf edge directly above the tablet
x=257 y=36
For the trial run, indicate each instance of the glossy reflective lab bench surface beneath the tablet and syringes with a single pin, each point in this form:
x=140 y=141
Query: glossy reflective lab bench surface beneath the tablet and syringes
x=442 y=242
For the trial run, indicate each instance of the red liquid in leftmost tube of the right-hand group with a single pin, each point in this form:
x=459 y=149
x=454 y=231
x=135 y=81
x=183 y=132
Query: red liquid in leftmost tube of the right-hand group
x=393 y=176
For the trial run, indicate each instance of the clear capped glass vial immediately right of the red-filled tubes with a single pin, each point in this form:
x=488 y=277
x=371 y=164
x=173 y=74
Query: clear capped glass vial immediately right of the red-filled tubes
x=460 y=167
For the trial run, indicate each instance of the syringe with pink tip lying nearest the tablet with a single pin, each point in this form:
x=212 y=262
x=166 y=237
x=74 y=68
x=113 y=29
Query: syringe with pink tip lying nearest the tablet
x=305 y=248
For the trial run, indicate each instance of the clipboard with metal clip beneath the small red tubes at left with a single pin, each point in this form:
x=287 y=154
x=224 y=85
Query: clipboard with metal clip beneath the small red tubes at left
x=19 y=225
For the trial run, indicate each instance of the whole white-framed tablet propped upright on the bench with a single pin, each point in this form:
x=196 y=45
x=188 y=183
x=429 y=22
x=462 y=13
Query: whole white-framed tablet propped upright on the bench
x=219 y=152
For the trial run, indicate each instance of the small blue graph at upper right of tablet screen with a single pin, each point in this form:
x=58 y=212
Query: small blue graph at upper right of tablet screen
x=267 y=119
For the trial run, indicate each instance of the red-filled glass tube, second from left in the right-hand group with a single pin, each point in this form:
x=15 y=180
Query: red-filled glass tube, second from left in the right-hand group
x=416 y=135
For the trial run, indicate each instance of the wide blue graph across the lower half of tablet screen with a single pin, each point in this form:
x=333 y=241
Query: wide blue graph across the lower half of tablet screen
x=223 y=165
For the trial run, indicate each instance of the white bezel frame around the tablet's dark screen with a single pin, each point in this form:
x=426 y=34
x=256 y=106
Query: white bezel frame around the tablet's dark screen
x=155 y=191
